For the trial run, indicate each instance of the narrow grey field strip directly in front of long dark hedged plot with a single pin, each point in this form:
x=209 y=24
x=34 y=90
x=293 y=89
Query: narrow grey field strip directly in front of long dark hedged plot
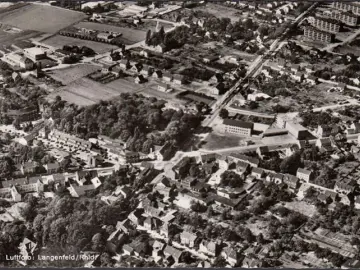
x=59 y=41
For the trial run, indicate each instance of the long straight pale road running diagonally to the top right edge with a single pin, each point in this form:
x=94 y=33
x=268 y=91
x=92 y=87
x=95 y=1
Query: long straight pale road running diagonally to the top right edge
x=254 y=67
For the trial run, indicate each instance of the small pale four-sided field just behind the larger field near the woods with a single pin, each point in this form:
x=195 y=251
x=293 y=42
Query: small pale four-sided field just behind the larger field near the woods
x=67 y=75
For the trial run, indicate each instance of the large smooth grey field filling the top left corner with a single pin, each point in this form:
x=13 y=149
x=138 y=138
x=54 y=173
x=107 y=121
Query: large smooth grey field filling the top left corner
x=38 y=17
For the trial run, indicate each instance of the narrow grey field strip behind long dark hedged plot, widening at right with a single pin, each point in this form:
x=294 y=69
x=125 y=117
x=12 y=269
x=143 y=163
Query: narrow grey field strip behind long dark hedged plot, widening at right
x=129 y=36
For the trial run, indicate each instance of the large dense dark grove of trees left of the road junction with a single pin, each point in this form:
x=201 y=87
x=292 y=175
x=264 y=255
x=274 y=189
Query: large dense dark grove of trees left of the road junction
x=132 y=118
